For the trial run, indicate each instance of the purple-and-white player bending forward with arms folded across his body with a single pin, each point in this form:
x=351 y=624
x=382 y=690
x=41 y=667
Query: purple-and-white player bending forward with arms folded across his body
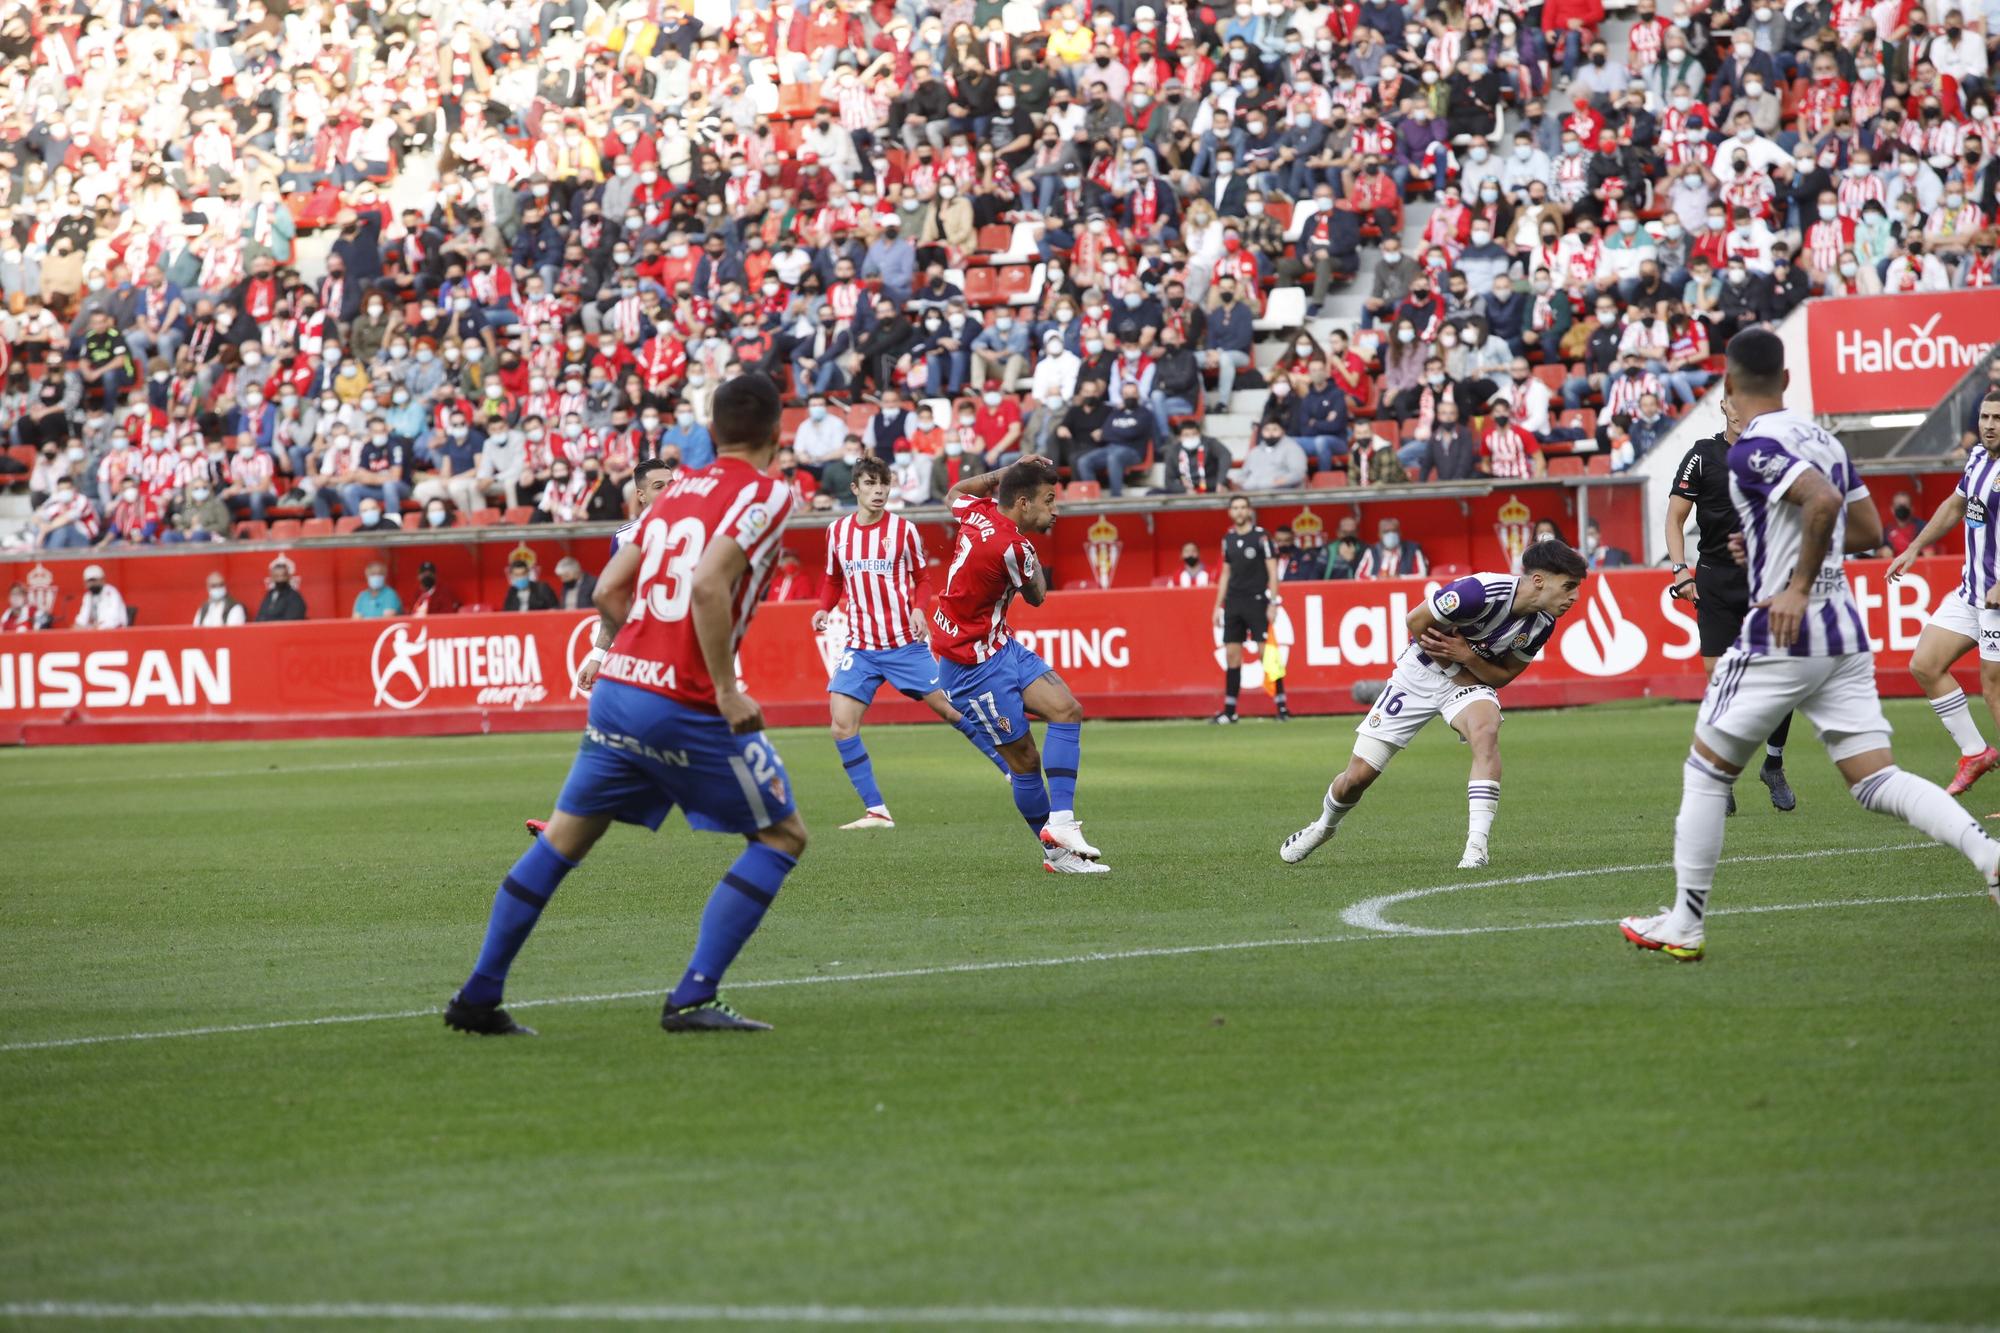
x=1469 y=639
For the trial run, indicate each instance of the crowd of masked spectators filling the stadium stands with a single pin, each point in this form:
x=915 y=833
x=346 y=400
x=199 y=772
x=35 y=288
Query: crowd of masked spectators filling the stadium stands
x=477 y=259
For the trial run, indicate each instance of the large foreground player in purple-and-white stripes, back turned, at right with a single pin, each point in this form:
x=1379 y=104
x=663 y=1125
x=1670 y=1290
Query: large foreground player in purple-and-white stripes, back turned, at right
x=1803 y=647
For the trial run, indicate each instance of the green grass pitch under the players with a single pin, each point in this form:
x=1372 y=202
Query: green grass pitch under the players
x=1189 y=1094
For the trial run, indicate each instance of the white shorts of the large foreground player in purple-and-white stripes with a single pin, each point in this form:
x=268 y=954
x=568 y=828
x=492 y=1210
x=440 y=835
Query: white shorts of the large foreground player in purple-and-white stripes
x=1751 y=694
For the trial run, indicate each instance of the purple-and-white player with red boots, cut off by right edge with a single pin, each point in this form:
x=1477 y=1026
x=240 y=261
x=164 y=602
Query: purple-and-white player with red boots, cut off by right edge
x=1971 y=615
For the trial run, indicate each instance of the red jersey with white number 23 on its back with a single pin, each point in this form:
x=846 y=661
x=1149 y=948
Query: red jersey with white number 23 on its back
x=659 y=649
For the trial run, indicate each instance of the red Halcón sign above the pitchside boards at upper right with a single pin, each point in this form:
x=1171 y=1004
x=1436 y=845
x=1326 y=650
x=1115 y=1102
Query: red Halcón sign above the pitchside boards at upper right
x=1893 y=353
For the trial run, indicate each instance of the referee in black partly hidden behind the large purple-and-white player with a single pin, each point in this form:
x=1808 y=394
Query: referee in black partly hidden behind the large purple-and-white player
x=1719 y=585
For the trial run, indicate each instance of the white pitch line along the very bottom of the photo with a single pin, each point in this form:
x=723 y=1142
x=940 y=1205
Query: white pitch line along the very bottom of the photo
x=965 y=1316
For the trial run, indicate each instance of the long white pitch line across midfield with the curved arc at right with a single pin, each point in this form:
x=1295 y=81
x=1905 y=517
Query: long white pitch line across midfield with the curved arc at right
x=1111 y=956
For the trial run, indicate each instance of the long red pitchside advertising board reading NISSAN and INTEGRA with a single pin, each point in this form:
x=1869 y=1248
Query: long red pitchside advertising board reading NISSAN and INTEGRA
x=1125 y=651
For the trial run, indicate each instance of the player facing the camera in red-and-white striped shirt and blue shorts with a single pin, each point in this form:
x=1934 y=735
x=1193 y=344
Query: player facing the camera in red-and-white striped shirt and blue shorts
x=879 y=575
